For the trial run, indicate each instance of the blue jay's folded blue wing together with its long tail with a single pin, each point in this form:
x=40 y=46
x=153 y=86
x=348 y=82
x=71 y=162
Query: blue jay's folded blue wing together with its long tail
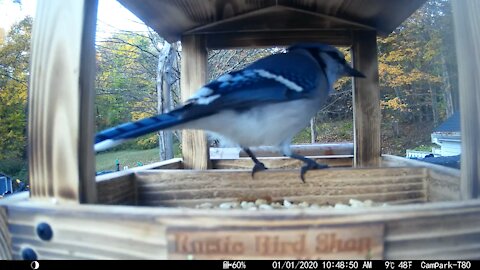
x=268 y=80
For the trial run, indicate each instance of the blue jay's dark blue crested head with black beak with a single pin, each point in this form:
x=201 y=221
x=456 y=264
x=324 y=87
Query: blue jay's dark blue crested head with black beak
x=329 y=58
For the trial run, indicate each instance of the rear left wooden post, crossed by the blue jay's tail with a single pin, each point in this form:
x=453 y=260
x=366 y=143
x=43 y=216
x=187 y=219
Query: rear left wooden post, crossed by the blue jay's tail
x=193 y=76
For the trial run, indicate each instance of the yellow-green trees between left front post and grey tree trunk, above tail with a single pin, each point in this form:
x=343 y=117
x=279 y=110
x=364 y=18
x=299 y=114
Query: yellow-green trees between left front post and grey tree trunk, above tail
x=126 y=79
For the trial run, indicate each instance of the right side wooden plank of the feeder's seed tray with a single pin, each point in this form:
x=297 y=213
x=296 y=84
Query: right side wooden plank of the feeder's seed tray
x=443 y=183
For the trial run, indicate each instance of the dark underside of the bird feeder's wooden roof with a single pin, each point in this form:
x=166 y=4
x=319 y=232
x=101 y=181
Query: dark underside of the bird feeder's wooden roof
x=173 y=18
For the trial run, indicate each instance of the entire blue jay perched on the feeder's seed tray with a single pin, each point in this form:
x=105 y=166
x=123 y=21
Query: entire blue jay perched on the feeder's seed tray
x=266 y=103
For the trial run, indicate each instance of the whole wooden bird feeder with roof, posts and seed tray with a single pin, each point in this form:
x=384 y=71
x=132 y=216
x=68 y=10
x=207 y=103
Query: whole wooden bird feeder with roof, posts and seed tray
x=148 y=212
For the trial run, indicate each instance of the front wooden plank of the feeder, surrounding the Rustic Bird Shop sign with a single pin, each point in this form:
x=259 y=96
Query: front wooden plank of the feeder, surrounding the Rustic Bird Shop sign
x=423 y=231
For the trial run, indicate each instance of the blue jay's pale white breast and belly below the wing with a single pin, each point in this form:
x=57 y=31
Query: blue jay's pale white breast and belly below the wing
x=271 y=124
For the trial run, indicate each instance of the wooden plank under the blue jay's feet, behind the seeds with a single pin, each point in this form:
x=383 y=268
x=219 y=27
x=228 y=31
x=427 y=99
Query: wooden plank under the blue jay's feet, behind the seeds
x=330 y=186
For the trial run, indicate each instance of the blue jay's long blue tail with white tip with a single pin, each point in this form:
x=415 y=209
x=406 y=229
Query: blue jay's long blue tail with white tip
x=114 y=136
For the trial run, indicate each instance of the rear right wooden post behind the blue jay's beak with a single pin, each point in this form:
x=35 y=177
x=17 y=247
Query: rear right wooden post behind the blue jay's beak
x=366 y=98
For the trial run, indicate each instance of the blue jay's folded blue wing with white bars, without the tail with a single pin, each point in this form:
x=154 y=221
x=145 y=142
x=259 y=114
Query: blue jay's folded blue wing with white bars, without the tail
x=268 y=80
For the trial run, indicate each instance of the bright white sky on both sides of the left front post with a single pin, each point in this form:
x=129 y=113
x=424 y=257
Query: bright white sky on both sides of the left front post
x=112 y=16
